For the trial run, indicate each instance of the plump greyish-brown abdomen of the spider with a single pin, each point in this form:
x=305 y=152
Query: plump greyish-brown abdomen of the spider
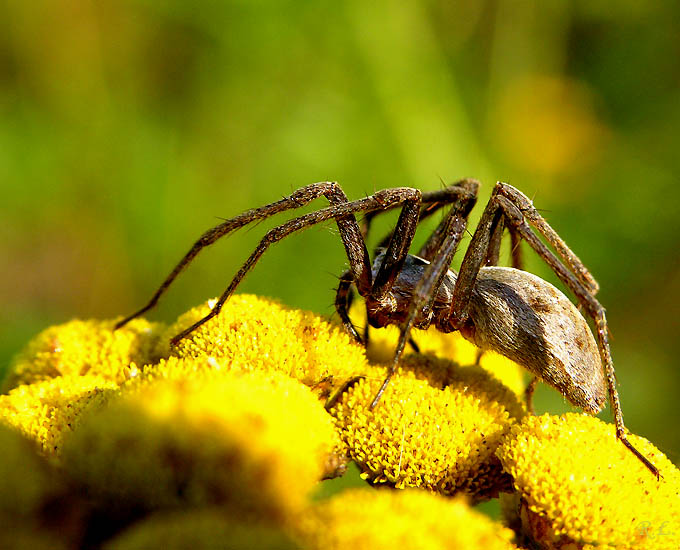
x=528 y=320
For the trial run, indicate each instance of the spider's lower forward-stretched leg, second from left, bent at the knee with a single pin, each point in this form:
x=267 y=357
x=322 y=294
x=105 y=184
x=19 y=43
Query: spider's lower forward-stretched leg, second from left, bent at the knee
x=339 y=211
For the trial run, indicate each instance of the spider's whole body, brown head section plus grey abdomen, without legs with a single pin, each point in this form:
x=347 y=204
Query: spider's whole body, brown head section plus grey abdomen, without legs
x=514 y=313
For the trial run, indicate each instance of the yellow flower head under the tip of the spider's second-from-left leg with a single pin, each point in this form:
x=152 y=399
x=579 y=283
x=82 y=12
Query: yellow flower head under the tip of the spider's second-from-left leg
x=264 y=335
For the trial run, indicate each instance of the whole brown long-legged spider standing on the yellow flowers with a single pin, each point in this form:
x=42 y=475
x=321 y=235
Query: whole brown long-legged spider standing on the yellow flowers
x=505 y=309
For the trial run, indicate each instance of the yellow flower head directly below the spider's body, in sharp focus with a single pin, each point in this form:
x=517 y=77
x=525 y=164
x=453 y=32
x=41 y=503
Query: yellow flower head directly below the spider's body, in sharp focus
x=437 y=426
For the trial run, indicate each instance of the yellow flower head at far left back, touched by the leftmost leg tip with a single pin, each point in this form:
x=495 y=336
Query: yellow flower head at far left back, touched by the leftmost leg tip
x=85 y=347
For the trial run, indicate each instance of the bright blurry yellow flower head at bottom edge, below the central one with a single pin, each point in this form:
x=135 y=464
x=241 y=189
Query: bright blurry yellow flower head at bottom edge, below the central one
x=362 y=519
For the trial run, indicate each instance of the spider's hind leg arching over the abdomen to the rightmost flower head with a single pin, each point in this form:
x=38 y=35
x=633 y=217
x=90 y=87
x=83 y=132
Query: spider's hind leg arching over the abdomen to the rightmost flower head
x=517 y=209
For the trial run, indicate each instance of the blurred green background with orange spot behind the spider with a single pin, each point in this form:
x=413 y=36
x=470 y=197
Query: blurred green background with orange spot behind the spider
x=129 y=127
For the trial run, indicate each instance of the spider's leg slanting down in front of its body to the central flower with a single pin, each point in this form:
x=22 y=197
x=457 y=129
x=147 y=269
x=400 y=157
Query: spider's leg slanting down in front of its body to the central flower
x=449 y=234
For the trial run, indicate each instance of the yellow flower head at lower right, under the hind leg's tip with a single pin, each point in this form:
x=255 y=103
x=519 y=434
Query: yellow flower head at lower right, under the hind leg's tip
x=579 y=486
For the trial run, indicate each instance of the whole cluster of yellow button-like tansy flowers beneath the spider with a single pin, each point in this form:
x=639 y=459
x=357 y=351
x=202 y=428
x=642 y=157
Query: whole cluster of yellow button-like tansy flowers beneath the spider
x=117 y=440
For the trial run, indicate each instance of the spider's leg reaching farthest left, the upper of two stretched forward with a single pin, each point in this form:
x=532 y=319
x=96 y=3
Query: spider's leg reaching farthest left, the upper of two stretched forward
x=299 y=198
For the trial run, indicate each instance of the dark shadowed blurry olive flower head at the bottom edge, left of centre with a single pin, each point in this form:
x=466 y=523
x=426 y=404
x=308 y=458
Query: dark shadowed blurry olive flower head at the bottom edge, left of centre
x=202 y=529
